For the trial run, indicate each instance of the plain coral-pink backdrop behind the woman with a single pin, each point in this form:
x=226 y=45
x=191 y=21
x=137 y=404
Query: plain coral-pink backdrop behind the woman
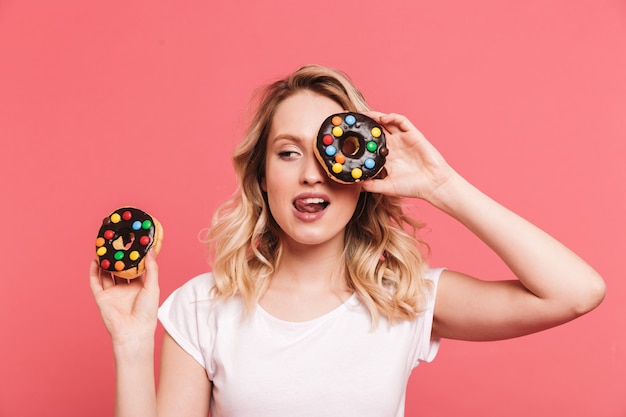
x=104 y=104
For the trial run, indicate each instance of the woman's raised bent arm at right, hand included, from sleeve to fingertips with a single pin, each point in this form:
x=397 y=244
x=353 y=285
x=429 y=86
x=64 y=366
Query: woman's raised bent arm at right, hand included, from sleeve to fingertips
x=554 y=285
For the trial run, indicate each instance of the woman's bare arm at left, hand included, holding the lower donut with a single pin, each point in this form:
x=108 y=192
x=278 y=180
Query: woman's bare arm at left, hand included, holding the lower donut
x=129 y=312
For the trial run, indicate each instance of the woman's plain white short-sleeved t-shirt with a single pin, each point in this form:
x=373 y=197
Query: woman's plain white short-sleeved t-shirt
x=334 y=365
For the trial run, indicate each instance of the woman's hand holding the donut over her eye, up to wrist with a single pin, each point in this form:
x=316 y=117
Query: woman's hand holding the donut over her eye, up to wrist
x=414 y=167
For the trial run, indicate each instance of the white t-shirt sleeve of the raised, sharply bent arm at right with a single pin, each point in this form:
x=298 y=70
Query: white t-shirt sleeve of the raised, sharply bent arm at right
x=427 y=347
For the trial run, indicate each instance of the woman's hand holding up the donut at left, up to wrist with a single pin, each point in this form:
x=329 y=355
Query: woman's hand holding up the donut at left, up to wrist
x=128 y=308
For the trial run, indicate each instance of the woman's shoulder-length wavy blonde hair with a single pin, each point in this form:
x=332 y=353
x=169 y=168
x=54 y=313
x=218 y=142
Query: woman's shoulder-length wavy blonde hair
x=383 y=261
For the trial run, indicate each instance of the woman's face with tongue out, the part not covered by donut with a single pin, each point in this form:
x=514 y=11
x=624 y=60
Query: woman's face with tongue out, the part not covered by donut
x=308 y=206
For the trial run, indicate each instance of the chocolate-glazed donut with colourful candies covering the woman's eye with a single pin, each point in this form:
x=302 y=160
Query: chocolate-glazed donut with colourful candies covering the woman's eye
x=351 y=147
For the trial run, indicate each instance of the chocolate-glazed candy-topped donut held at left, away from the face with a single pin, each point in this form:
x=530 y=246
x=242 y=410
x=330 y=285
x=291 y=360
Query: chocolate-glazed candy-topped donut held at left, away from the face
x=124 y=238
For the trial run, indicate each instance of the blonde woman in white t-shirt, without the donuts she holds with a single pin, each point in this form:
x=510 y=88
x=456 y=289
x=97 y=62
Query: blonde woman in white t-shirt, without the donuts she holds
x=319 y=301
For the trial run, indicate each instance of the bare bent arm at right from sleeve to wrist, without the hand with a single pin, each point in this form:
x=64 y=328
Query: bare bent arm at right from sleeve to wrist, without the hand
x=554 y=285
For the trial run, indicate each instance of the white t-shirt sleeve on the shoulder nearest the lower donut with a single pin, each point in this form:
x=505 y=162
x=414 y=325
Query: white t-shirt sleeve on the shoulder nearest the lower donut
x=183 y=313
